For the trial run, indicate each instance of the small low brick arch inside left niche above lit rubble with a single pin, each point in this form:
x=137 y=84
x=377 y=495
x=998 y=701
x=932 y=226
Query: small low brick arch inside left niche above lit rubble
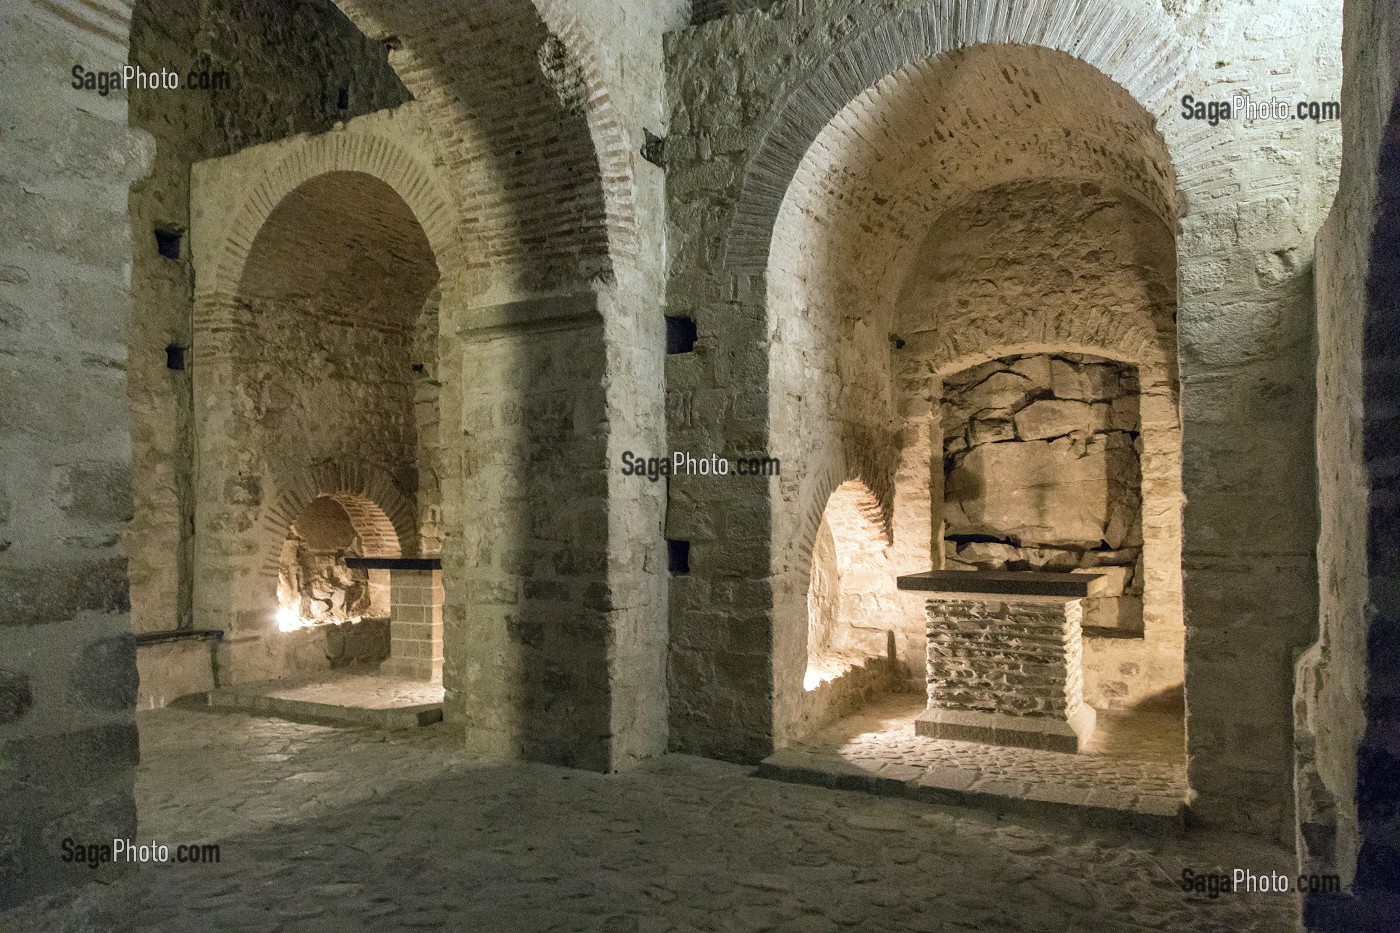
x=383 y=516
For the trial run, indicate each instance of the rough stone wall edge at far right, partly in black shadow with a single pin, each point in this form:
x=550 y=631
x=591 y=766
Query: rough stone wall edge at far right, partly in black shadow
x=1347 y=676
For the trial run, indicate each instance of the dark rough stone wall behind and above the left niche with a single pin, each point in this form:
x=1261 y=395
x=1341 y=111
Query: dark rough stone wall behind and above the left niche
x=286 y=65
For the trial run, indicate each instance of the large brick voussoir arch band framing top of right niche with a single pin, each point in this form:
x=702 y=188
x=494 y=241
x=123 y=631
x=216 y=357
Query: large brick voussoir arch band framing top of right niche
x=1139 y=50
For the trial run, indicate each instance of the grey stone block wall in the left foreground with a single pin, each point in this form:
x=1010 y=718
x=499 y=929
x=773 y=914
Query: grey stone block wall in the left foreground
x=68 y=666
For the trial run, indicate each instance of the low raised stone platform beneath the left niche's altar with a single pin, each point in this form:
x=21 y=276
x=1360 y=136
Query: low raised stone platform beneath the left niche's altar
x=355 y=700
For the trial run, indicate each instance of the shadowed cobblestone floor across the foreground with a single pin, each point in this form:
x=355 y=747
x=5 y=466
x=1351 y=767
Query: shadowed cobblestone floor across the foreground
x=359 y=830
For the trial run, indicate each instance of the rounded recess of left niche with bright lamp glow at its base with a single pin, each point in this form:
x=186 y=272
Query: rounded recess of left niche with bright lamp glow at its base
x=317 y=355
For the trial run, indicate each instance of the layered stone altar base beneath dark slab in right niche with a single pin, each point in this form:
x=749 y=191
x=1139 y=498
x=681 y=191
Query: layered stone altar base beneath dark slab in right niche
x=1007 y=670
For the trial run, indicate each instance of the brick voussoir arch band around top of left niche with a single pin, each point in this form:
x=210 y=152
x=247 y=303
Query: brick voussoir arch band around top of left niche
x=314 y=156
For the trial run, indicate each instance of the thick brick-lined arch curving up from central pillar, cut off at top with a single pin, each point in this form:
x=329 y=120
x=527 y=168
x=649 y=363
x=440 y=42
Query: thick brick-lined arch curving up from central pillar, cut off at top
x=516 y=100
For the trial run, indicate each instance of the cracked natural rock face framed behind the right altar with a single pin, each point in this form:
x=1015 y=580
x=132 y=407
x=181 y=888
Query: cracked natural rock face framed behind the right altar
x=1042 y=473
